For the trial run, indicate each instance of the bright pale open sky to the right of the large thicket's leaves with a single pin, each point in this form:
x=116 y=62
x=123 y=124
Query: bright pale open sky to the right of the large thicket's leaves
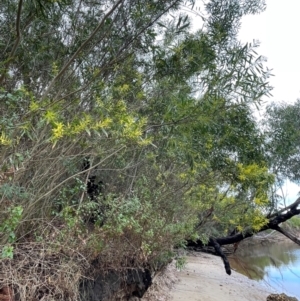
x=278 y=30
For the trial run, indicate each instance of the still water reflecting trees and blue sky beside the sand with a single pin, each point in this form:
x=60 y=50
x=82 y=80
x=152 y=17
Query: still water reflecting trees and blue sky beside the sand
x=276 y=265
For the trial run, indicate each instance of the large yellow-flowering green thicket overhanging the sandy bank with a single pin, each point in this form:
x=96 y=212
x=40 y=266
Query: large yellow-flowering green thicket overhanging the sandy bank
x=163 y=115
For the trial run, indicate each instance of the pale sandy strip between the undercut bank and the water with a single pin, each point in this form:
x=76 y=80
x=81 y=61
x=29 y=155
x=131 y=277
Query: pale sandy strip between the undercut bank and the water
x=204 y=279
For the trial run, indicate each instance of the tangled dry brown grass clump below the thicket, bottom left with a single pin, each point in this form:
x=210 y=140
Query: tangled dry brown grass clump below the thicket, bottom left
x=38 y=272
